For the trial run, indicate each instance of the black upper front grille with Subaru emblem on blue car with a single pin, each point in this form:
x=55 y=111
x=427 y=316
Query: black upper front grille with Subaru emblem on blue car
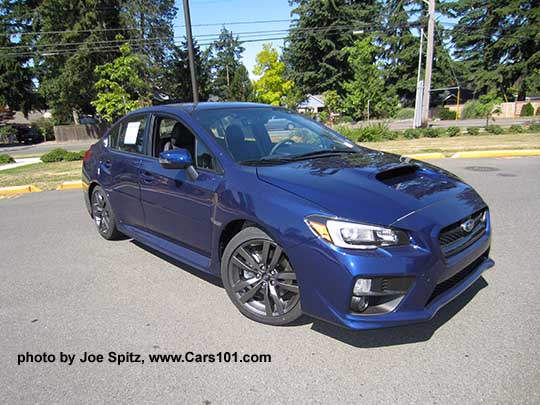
x=454 y=239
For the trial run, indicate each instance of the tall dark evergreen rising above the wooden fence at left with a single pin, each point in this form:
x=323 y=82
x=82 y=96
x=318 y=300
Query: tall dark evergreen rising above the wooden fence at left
x=65 y=72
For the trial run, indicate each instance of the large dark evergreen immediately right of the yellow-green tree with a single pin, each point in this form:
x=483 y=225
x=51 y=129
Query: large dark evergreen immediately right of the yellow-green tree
x=314 y=53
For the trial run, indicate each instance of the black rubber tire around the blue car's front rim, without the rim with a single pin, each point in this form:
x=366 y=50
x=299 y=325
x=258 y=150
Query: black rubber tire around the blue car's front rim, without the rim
x=243 y=236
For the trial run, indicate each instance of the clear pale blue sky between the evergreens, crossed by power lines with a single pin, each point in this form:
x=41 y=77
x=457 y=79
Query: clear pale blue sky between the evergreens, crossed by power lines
x=225 y=12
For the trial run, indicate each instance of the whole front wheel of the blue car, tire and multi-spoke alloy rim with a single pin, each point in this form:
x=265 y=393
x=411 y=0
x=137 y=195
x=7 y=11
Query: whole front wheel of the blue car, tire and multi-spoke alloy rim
x=259 y=278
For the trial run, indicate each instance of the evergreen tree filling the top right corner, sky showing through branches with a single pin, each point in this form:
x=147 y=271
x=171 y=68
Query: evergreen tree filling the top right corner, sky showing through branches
x=499 y=42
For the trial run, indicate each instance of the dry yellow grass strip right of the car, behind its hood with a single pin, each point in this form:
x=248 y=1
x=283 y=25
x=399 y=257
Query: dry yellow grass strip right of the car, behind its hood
x=448 y=146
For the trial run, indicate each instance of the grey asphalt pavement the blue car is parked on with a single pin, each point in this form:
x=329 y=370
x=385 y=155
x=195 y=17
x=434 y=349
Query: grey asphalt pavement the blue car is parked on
x=64 y=288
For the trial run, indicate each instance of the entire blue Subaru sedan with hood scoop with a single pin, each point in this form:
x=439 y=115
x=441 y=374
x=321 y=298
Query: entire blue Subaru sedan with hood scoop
x=295 y=218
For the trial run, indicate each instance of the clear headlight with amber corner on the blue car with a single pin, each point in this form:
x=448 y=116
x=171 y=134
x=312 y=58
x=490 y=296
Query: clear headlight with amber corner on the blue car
x=354 y=235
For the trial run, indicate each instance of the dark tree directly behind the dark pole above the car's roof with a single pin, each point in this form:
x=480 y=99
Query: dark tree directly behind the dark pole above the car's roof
x=178 y=76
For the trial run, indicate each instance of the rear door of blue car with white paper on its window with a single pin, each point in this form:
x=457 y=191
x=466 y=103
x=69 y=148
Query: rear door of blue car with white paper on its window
x=120 y=167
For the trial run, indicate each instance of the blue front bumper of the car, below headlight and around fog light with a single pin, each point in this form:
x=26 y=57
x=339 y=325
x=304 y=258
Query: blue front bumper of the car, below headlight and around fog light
x=327 y=274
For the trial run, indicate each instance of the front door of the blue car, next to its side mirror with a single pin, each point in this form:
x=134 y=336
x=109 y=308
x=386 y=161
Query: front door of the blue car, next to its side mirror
x=175 y=206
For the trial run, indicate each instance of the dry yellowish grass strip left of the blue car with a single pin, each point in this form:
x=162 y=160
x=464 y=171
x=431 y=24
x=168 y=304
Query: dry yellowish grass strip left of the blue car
x=46 y=176
